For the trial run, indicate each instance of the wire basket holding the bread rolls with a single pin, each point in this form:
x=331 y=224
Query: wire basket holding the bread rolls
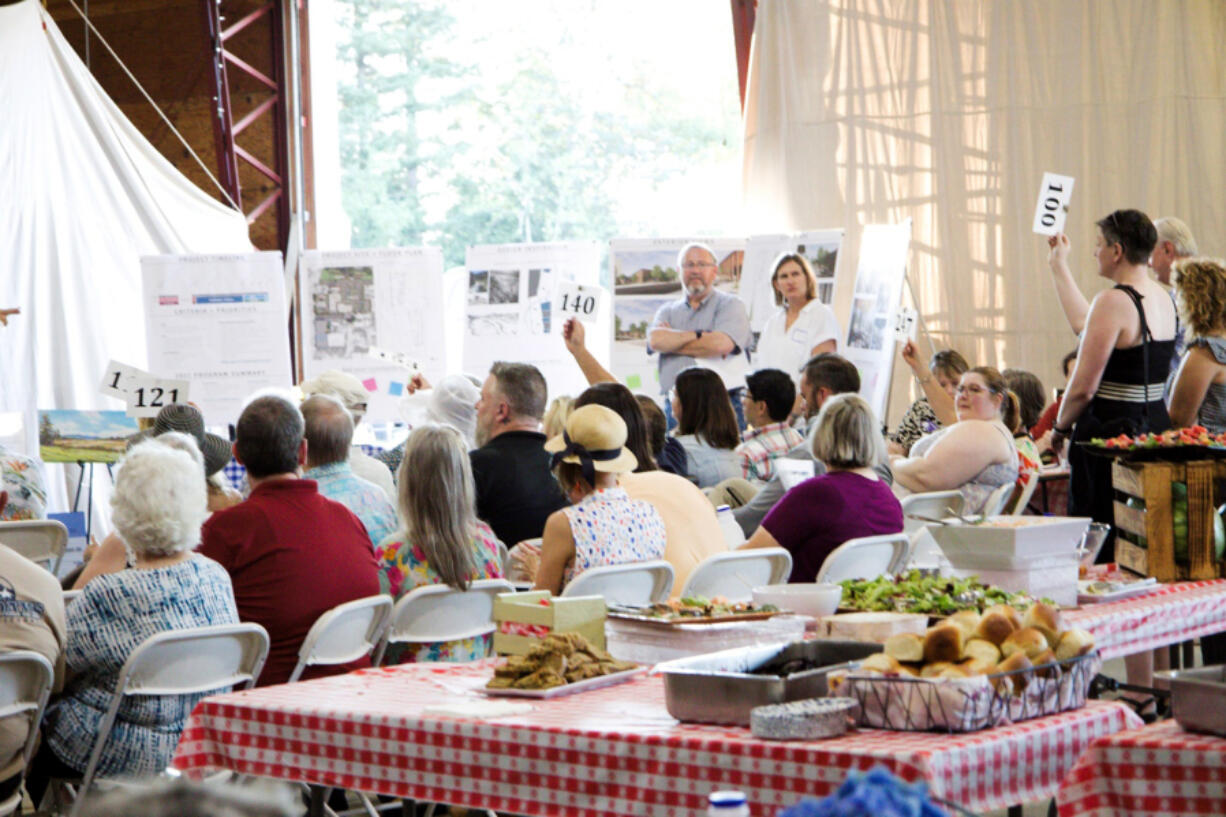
x=907 y=704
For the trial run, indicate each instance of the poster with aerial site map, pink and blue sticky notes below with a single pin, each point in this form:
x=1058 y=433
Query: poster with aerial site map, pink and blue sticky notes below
x=360 y=309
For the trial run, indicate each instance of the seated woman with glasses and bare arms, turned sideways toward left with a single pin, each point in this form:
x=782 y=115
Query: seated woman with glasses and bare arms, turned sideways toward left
x=977 y=455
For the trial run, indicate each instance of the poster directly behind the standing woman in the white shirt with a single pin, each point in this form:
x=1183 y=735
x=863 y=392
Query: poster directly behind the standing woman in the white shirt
x=821 y=247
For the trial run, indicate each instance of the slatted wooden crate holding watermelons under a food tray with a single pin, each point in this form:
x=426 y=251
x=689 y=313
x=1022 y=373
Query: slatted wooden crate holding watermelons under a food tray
x=1154 y=526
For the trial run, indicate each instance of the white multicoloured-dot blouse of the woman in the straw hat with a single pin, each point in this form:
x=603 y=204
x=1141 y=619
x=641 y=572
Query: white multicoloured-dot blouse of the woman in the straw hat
x=610 y=528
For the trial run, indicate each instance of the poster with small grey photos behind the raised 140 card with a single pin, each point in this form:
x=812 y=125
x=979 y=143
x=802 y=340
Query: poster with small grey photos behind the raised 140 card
x=511 y=312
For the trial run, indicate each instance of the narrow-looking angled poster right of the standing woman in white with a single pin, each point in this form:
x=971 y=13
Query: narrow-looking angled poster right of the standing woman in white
x=883 y=266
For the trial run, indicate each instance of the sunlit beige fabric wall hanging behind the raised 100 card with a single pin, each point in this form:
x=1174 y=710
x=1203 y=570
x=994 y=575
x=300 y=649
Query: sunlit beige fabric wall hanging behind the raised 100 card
x=950 y=113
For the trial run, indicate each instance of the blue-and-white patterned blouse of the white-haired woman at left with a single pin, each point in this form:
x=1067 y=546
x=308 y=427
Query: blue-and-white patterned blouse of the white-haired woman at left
x=113 y=616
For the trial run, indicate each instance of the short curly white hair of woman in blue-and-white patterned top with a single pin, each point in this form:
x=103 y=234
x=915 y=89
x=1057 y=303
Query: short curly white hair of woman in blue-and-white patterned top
x=160 y=500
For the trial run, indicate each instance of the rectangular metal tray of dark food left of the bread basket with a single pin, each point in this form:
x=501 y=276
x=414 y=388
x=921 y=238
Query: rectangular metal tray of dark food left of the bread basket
x=722 y=689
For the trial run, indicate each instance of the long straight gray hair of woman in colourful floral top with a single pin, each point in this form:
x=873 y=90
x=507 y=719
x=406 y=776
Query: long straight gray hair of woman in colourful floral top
x=438 y=504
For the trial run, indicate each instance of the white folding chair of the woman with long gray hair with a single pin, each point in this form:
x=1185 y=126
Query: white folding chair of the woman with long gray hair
x=437 y=613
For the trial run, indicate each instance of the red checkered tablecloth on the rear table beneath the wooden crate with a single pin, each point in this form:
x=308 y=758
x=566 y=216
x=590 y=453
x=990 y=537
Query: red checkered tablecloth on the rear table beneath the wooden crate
x=1173 y=614
